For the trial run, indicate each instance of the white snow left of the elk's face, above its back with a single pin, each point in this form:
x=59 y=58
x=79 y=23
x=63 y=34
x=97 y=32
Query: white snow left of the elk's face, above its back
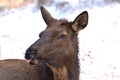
x=18 y=32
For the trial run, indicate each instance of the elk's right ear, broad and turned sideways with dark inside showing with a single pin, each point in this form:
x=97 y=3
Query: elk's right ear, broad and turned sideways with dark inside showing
x=80 y=22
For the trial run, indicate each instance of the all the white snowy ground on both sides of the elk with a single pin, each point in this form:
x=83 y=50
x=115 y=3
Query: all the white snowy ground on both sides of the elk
x=99 y=42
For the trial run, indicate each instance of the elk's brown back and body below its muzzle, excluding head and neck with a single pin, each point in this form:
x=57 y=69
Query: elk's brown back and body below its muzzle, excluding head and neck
x=15 y=69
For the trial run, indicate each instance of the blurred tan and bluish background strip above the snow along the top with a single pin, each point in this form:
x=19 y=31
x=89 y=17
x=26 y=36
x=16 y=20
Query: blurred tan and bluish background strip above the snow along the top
x=58 y=4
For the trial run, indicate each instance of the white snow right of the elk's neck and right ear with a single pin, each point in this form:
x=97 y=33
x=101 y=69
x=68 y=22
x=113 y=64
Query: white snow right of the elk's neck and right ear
x=100 y=45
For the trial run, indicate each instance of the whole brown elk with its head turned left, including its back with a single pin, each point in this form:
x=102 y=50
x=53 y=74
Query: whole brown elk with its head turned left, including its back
x=54 y=56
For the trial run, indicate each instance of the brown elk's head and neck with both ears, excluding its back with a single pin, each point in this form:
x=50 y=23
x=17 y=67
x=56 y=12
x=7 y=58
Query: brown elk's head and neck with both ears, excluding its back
x=57 y=46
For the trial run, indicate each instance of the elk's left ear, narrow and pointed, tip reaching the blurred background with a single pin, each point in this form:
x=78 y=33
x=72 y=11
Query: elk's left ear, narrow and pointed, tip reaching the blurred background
x=46 y=15
